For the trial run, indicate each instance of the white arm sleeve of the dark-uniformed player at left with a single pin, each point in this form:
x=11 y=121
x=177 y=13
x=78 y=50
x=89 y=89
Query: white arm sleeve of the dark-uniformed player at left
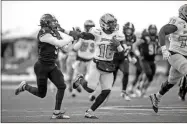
x=48 y=38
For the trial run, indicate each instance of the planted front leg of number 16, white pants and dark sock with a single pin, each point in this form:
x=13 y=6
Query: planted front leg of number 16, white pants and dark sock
x=106 y=81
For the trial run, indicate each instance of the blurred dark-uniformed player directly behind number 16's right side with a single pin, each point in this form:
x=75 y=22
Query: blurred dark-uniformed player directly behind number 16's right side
x=123 y=63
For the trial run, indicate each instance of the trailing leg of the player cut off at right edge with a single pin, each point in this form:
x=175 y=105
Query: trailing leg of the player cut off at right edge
x=177 y=70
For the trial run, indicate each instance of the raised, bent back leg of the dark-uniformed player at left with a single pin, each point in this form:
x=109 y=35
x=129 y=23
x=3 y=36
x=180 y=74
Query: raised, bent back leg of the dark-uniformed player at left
x=41 y=72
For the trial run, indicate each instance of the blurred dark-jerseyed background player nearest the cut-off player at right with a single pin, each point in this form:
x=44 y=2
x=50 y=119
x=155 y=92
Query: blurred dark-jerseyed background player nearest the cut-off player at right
x=148 y=47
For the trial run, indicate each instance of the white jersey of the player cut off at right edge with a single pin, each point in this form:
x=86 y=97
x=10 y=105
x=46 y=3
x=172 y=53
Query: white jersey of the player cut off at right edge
x=178 y=39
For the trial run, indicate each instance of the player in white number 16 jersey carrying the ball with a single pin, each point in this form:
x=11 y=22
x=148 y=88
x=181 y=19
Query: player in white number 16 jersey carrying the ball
x=101 y=68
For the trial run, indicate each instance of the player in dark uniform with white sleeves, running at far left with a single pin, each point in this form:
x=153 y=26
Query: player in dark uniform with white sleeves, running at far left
x=50 y=39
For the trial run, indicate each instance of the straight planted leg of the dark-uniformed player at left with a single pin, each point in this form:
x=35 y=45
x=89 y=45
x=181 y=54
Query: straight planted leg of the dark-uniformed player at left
x=57 y=78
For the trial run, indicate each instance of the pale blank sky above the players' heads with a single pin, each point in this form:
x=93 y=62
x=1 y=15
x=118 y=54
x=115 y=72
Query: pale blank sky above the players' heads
x=22 y=17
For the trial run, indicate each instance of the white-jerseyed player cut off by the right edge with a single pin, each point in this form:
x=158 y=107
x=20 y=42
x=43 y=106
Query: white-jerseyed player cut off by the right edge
x=177 y=53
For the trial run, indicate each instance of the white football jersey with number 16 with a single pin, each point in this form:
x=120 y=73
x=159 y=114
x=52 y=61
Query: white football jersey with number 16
x=103 y=49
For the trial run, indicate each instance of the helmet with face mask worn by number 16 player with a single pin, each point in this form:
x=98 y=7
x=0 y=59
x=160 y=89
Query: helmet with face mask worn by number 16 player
x=108 y=23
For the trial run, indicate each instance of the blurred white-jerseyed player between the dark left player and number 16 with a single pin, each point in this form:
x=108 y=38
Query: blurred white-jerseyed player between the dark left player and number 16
x=85 y=49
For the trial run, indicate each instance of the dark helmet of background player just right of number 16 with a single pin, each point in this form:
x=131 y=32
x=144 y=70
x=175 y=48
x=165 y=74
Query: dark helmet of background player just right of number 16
x=128 y=29
